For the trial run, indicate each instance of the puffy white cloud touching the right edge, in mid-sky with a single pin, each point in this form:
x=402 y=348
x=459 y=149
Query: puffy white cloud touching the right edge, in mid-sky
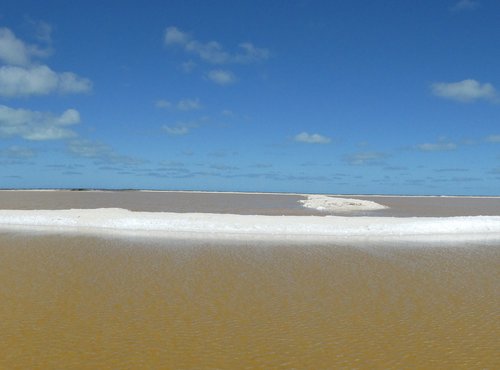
x=465 y=91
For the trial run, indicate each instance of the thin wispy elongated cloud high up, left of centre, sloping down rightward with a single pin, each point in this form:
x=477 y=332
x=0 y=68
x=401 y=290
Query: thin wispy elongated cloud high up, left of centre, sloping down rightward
x=212 y=51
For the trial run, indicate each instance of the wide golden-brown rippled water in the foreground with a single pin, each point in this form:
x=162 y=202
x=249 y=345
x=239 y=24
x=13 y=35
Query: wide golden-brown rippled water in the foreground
x=82 y=302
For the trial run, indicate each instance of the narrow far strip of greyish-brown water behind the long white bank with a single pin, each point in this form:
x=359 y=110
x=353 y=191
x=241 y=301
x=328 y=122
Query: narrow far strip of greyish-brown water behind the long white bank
x=242 y=203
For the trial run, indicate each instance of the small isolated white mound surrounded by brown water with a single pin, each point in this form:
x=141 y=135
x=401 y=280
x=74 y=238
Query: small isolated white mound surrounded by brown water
x=328 y=203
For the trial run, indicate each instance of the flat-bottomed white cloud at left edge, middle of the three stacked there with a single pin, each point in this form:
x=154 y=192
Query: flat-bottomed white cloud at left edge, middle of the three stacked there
x=39 y=80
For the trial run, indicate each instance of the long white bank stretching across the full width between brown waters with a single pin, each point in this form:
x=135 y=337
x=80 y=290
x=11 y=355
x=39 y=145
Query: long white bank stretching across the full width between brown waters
x=205 y=225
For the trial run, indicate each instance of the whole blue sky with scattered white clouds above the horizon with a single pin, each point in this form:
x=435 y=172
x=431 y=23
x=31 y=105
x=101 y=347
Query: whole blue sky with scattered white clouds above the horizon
x=373 y=97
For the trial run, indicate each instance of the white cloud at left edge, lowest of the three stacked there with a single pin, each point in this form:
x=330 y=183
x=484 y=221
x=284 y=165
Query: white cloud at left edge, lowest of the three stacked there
x=34 y=125
